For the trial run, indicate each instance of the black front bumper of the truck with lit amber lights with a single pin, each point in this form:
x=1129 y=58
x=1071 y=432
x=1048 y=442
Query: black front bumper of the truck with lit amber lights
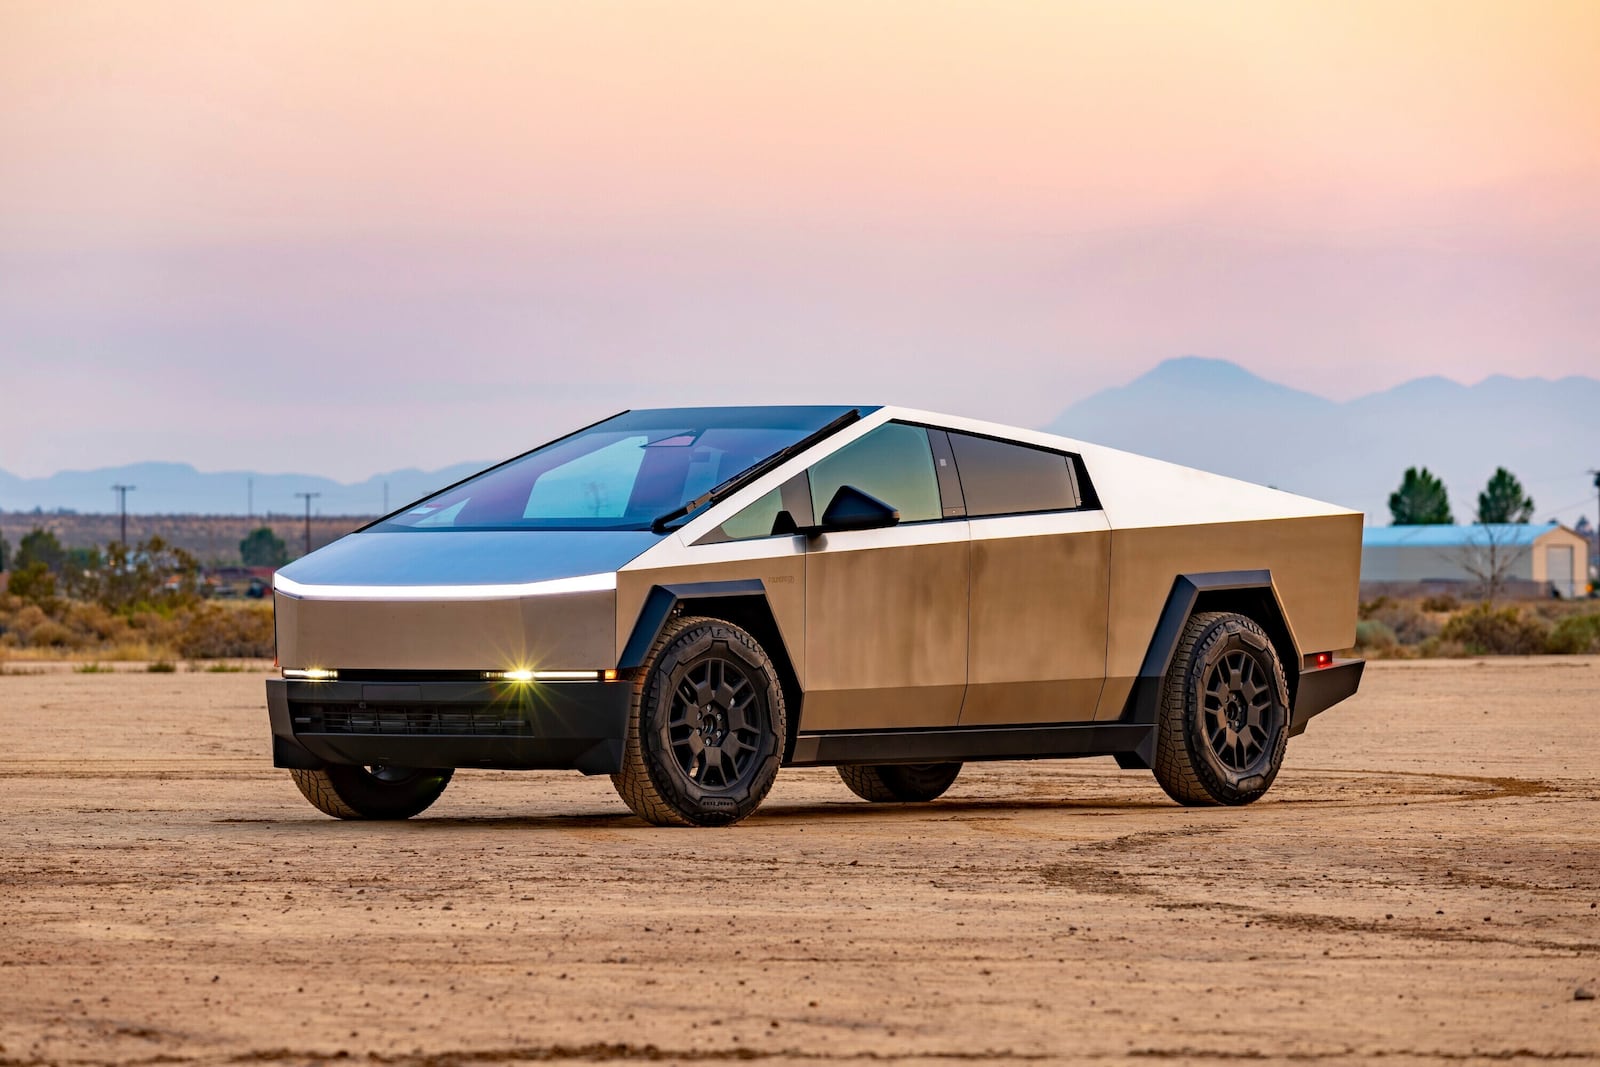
x=401 y=722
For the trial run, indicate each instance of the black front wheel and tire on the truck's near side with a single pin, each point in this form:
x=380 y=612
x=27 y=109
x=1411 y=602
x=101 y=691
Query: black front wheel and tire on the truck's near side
x=706 y=729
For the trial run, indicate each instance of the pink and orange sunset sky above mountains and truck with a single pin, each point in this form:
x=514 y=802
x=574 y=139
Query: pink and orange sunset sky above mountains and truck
x=348 y=238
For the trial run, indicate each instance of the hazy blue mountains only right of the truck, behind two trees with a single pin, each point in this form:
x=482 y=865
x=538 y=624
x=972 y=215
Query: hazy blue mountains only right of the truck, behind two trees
x=1218 y=417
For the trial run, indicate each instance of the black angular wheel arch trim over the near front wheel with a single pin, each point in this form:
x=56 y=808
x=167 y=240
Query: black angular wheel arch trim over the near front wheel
x=742 y=602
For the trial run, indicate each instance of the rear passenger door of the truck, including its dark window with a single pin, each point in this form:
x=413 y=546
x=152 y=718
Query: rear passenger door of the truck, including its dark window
x=1041 y=572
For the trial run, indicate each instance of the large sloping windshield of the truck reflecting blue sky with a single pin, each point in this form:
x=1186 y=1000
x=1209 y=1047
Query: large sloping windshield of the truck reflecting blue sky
x=618 y=474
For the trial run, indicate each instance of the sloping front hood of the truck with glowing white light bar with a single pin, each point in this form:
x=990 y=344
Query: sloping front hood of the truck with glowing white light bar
x=466 y=564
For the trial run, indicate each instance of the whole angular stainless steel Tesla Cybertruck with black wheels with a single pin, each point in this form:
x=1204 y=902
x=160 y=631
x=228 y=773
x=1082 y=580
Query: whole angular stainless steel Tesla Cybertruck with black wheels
x=689 y=599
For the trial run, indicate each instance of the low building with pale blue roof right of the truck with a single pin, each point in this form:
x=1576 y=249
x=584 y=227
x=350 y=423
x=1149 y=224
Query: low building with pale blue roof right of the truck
x=1532 y=561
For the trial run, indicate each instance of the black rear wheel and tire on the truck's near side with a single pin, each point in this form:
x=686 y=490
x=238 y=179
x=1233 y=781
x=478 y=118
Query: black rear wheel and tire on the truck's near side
x=1225 y=714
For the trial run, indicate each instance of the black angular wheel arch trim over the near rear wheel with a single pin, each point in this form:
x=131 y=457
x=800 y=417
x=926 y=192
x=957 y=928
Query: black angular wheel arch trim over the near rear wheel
x=1250 y=594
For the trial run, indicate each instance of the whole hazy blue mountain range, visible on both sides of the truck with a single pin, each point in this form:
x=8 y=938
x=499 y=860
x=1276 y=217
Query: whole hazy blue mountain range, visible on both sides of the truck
x=1204 y=414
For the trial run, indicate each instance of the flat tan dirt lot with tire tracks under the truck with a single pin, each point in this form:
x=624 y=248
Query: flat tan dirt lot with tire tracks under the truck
x=1422 y=884
